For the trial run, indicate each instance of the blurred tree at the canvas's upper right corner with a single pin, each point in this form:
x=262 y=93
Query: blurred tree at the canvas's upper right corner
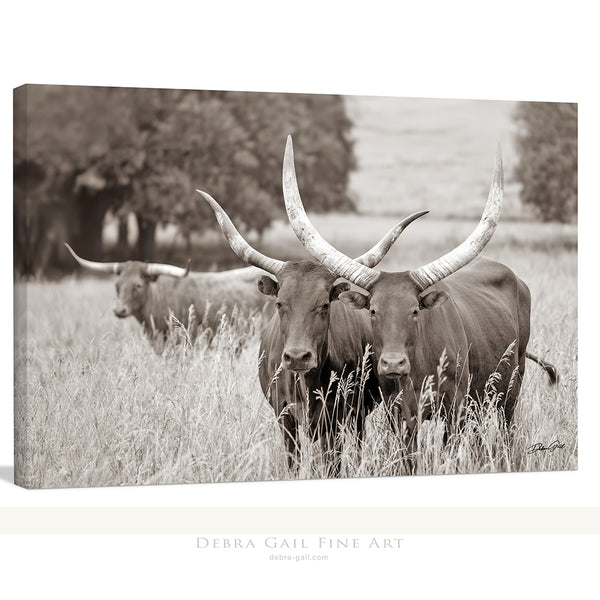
x=547 y=145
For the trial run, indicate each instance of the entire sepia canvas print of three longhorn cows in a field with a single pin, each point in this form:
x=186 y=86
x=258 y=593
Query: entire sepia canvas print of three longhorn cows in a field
x=218 y=286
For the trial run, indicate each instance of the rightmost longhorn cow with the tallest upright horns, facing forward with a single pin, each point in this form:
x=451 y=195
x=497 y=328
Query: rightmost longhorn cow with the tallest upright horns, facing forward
x=474 y=311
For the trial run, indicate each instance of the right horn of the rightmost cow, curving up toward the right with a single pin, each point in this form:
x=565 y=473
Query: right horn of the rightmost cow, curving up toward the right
x=462 y=255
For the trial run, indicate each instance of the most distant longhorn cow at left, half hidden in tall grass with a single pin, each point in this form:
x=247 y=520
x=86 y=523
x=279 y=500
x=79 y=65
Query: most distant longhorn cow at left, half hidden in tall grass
x=151 y=292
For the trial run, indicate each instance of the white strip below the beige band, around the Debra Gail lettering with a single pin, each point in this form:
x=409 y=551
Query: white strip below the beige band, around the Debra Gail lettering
x=531 y=567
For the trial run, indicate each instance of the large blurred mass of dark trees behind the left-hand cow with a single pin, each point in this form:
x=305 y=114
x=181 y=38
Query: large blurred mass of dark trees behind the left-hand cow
x=80 y=152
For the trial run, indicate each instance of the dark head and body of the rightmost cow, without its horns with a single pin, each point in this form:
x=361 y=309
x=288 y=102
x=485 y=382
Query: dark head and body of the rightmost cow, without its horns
x=473 y=315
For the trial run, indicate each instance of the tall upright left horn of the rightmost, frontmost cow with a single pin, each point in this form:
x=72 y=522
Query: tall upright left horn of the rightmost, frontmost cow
x=325 y=253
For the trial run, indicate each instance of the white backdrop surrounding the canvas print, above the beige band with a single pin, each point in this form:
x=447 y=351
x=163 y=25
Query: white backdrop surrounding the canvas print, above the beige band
x=501 y=50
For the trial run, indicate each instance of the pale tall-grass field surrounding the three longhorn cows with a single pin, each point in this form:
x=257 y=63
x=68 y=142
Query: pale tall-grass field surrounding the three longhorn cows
x=96 y=406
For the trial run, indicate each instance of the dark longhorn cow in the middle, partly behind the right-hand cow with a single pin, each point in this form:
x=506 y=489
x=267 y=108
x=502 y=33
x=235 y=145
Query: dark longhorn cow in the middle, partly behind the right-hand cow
x=310 y=337
